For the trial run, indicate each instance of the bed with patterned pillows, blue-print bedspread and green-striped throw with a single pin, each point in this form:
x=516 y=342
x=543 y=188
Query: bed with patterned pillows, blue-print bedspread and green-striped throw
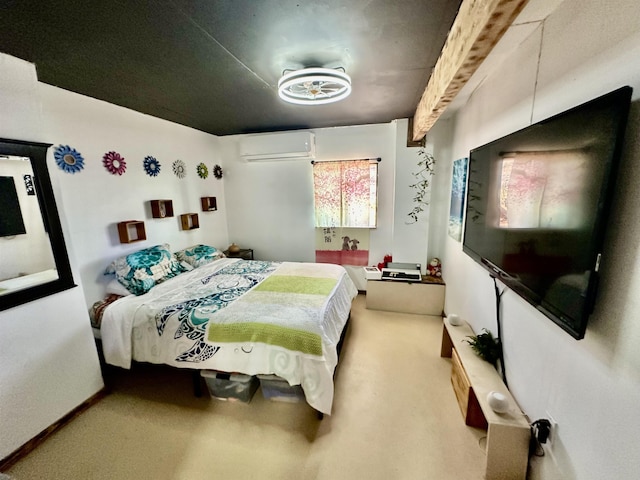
x=230 y=315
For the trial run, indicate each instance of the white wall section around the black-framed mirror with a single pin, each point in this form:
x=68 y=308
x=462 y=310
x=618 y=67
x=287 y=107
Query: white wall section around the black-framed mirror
x=48 y=356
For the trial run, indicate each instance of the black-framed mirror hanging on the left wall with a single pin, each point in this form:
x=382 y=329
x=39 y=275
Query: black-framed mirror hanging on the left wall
x=33 y=255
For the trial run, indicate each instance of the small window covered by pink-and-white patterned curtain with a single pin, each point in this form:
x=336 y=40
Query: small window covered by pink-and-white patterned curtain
x=346 y=193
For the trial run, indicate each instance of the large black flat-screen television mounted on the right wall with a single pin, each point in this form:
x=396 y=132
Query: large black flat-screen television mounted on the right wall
x=537 y=206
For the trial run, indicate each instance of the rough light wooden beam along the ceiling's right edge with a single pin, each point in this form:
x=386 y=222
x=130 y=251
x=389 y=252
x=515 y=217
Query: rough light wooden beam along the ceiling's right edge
x=475 y=31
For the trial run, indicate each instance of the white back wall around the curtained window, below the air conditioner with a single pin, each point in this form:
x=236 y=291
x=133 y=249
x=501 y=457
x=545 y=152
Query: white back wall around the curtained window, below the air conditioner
x=270 y=204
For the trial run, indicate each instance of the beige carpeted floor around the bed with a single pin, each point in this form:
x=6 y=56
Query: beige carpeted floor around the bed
x=394 y=417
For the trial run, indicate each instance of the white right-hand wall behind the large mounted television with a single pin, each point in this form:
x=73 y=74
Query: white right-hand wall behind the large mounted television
x=590 y=387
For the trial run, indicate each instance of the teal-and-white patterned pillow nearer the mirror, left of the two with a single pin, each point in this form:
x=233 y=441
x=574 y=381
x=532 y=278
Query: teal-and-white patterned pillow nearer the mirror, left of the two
x=142 y=270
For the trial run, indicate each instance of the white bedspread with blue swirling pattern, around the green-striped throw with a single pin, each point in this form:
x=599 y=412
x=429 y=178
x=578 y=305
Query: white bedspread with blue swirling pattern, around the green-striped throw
x=169 y=324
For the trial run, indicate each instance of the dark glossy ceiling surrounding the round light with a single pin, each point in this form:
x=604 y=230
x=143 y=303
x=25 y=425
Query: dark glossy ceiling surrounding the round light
x=214 y=65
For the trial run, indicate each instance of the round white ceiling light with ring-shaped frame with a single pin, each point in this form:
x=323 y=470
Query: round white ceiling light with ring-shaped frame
x=314 y=86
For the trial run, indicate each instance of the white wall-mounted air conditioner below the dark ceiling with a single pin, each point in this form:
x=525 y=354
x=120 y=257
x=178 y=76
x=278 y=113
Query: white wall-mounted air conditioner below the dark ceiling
x=278 y=146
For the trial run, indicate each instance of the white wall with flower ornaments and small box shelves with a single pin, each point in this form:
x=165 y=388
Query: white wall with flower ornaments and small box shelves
x=95 y=200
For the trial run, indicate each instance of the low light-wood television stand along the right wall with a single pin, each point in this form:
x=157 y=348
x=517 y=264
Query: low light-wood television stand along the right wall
x=508 y=434
